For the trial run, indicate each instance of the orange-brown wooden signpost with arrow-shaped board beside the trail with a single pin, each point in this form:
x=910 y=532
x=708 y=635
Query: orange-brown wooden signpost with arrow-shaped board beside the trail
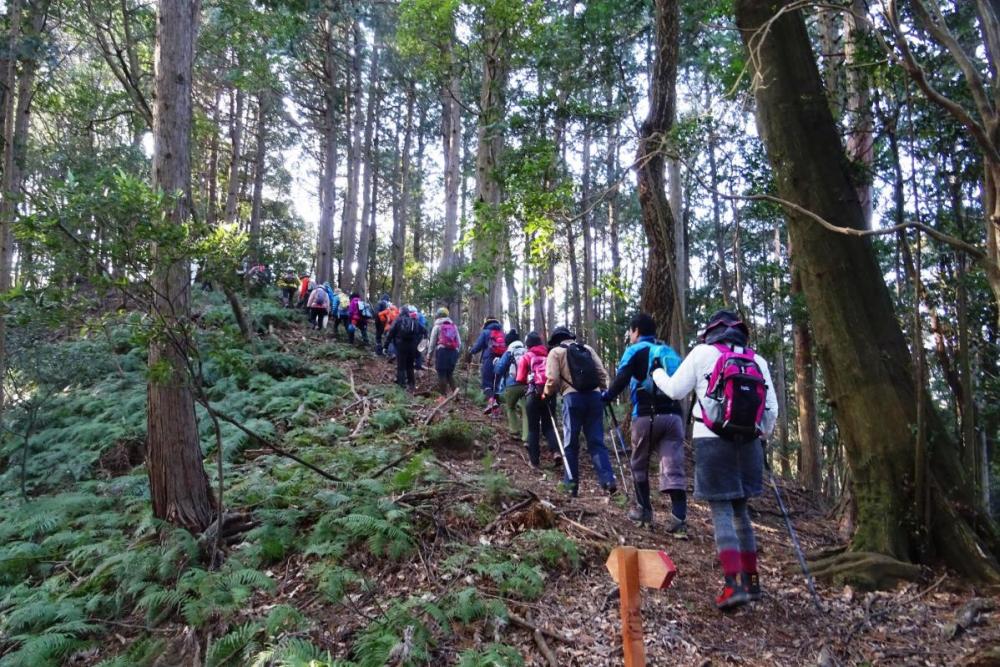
x=632 y=568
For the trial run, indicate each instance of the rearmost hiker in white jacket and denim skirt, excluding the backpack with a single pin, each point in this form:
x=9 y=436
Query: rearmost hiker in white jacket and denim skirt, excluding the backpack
x=728 y=471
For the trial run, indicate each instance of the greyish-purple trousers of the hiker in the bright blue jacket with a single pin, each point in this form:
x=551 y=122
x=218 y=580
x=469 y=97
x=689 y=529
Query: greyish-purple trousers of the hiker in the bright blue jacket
x=663 y=434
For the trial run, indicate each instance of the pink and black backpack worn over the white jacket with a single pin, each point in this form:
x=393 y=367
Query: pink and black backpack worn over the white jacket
x=733 y=407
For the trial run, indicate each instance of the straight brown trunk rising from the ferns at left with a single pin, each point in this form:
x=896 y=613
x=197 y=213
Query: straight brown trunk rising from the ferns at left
x=178 y=484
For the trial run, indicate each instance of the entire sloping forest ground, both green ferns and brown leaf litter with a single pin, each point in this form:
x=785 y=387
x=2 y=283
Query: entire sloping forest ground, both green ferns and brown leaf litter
x=435 y=541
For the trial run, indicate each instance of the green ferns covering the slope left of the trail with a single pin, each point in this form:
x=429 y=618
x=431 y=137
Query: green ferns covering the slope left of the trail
x=82 y=560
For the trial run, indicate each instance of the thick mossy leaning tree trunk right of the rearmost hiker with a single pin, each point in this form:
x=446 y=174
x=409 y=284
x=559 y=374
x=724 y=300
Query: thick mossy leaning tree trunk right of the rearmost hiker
x=866 y=363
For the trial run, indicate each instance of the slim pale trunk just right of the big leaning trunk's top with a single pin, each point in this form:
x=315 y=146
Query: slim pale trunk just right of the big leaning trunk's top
x=861 y=134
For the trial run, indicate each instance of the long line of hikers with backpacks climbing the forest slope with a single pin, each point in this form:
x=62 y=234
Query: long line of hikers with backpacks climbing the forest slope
x=734 y=408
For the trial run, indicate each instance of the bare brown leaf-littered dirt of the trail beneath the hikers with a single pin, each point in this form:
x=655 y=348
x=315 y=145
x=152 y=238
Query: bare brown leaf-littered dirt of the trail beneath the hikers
x=920 y=624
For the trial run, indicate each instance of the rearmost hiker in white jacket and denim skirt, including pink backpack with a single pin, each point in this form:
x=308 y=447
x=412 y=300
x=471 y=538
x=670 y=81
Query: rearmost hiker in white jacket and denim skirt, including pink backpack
x=736 y=407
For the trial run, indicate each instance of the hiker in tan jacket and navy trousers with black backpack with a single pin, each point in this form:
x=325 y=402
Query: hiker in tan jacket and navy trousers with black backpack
x=574 y=370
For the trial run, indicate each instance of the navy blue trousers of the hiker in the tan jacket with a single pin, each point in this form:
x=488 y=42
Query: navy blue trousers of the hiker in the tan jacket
x=584 y=411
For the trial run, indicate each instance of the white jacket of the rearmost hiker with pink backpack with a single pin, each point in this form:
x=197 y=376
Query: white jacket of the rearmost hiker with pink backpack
x=693 y=374
